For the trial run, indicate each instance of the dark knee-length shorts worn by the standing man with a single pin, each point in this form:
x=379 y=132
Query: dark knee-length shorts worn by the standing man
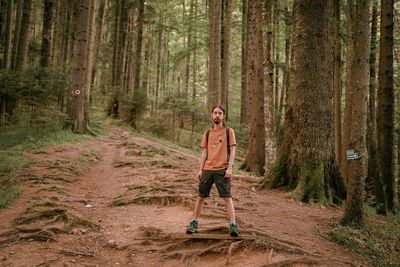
x=209 y=178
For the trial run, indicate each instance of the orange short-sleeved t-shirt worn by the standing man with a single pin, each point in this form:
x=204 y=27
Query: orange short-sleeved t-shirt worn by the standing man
x=217 y=150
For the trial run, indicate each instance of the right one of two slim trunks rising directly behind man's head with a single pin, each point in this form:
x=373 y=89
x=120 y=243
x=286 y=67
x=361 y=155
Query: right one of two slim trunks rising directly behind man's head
x=227 y=25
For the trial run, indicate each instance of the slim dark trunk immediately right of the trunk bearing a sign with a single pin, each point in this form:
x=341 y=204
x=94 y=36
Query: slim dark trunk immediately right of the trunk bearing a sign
x=374 y=181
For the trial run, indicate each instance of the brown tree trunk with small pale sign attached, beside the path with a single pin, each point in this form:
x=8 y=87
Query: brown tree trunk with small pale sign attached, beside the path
x=356 y=98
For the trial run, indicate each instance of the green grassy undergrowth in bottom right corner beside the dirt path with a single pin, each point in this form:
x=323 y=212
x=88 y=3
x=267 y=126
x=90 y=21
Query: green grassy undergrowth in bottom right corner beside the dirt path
x=378 y=243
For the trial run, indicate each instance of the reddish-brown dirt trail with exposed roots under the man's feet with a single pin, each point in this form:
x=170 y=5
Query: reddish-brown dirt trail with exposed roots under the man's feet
x=122 y=200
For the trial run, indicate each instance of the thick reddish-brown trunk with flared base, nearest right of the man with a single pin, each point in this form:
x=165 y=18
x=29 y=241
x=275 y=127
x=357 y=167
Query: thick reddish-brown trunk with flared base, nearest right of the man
x=255 y=158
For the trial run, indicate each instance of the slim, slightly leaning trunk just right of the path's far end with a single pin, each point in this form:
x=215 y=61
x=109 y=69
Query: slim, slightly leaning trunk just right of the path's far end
x=138 y=95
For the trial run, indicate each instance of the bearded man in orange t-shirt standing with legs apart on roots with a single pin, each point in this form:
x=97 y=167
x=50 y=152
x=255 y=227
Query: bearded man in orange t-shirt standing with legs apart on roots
x=216 y=167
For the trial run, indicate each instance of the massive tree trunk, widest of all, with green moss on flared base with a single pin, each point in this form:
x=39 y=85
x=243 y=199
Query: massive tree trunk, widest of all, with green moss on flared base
x=305 y=160
